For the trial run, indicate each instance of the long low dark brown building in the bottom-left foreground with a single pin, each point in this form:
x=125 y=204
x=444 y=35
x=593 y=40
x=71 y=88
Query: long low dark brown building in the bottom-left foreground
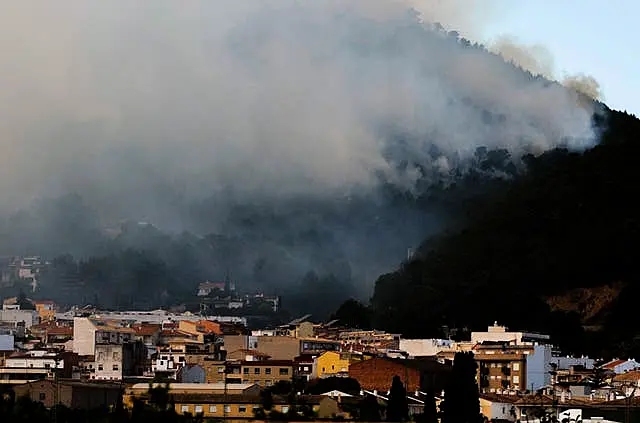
x=72 y=394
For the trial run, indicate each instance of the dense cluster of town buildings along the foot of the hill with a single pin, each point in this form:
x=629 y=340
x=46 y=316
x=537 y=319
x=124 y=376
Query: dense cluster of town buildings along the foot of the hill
x=217 y=367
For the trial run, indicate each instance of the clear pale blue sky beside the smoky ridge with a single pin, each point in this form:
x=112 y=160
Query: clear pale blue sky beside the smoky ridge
x=595 y=37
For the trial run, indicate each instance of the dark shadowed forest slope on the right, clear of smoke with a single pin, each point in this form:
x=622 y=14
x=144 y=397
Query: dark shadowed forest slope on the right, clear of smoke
x=569 y=222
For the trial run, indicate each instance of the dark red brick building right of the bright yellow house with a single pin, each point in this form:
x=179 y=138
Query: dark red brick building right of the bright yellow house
x=378 y=373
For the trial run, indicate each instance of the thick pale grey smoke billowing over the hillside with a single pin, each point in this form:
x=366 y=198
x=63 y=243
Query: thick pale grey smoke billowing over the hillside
x=142 y=105
